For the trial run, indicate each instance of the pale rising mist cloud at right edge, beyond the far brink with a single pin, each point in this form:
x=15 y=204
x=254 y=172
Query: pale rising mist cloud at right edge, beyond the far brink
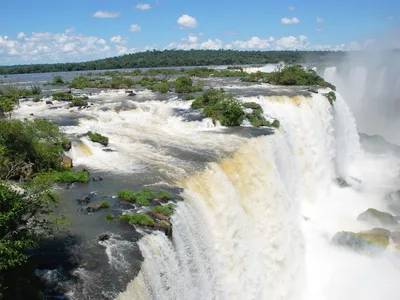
x=369 y=81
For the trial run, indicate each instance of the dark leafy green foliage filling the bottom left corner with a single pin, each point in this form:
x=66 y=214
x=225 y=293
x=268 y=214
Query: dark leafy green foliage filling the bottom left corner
x=25 y=222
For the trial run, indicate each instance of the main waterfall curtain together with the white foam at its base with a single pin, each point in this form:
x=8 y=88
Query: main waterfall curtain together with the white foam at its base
x=258 y=225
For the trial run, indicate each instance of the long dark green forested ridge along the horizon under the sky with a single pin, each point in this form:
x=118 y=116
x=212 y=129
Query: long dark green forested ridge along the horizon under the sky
x=178 y=58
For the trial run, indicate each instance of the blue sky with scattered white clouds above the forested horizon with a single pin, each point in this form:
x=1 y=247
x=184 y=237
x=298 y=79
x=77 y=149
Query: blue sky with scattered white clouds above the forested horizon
x=59 y=31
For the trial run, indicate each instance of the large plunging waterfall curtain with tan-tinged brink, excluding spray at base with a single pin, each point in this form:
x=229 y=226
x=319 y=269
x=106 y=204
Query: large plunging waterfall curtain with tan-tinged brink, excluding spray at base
x=239 y=232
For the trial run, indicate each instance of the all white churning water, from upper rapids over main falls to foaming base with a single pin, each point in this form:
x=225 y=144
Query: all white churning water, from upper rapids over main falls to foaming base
x=260 y=206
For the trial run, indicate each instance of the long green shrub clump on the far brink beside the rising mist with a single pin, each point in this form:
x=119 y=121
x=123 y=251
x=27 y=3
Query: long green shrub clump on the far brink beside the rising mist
x=292 y=75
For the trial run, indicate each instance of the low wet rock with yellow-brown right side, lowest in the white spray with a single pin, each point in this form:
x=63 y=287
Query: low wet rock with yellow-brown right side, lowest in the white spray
x=366 y=242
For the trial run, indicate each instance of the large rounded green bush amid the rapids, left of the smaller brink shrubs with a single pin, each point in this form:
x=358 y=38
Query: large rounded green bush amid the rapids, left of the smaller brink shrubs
x=220 y=106
